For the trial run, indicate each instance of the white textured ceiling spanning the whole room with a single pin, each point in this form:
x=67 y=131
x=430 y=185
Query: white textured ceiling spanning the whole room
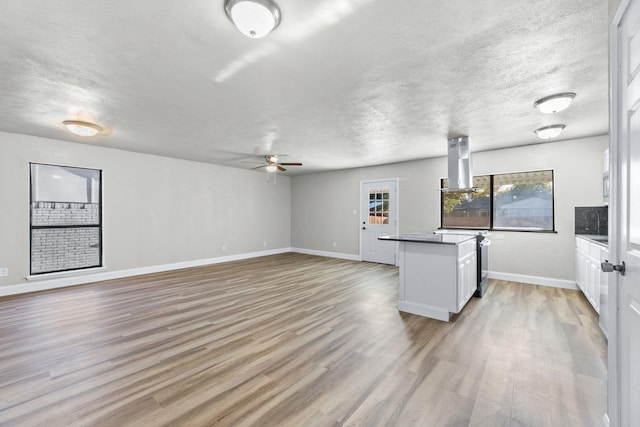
x=339 y=84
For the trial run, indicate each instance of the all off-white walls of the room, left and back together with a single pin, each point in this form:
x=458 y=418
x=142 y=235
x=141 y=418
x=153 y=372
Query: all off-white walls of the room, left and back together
x=161 y=211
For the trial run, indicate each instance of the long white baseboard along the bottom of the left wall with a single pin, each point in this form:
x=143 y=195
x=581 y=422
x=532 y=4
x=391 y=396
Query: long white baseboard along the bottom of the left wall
x=35 y=285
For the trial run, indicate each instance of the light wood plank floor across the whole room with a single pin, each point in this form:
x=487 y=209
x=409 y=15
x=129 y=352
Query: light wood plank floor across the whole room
x=296 y=340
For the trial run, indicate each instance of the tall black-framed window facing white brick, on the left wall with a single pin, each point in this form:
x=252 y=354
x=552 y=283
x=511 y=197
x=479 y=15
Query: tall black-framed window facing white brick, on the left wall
x=66 y=218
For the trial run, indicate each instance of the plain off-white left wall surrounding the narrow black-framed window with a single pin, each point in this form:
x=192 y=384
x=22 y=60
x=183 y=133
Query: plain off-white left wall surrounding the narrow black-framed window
x=156 y=210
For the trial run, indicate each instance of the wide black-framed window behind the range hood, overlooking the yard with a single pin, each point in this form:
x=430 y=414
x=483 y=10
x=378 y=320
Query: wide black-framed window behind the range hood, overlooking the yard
x=514 y=201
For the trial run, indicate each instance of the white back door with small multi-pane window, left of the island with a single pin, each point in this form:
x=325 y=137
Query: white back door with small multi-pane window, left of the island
x=378 y=213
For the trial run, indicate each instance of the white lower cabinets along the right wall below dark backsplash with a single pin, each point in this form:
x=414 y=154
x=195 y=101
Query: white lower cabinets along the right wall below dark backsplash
x=589 y=276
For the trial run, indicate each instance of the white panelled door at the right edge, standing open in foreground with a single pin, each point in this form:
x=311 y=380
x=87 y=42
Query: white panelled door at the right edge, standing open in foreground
x=624 y=343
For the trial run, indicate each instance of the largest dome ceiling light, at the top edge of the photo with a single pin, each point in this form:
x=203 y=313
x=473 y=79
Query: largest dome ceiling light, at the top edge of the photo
x=254 y=18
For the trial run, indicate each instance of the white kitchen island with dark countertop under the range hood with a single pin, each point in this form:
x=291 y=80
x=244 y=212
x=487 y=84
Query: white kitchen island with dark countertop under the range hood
x=437 y=273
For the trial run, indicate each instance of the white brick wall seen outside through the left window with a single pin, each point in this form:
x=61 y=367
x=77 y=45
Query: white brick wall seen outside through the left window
x=56 y=249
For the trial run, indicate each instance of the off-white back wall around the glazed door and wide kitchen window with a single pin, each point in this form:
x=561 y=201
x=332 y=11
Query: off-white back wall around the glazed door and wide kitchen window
x=322 y=204
